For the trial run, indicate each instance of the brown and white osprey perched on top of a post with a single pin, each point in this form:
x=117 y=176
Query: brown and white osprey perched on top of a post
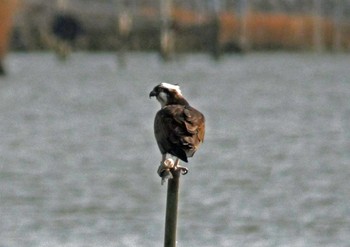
x=178 y=127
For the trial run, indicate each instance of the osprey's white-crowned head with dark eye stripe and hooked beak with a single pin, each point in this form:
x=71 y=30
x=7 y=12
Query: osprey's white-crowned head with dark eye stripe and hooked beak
x=168 y=94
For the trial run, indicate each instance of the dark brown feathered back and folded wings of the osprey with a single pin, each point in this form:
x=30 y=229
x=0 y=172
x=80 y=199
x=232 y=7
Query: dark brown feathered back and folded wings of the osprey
x=179 y=130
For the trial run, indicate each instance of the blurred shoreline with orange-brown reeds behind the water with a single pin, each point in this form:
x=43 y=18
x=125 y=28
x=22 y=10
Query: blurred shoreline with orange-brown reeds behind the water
x=195 y=26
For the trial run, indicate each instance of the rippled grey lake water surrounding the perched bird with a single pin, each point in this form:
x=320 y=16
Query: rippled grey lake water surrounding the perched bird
x=78 y=158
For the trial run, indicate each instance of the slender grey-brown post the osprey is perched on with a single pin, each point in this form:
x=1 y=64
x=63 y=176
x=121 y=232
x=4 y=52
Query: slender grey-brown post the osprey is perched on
x=171 y=210
